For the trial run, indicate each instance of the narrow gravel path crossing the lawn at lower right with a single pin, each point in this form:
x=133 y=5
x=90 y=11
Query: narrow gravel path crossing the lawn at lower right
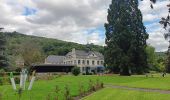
x=138 y=89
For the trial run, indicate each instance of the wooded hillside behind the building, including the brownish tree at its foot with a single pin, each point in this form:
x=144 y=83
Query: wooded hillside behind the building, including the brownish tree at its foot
x=34 y=50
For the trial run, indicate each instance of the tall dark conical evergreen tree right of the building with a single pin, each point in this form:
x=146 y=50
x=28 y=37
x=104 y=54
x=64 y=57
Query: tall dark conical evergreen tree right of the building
x=125 y=38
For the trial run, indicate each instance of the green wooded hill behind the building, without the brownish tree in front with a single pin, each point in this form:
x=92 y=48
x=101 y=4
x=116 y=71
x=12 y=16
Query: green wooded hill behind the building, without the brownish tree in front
x=48 y=46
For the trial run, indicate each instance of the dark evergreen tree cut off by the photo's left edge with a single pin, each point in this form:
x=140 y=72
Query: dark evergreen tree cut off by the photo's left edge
x=3 y=60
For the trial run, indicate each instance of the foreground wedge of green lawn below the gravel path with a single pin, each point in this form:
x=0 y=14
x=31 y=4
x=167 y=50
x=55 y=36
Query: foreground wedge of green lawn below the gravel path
x=121 y=94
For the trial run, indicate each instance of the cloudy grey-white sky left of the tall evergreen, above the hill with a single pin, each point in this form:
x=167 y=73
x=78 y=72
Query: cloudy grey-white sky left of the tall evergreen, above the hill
x=67 y=20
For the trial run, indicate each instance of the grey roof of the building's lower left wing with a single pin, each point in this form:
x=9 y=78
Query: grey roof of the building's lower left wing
x=54 y=59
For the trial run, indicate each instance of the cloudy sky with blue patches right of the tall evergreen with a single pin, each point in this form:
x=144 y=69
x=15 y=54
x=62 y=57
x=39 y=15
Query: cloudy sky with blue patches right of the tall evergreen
x=151 y=18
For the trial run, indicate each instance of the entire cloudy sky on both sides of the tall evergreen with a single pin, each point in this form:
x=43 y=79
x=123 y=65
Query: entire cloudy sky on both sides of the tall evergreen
x=74 y=20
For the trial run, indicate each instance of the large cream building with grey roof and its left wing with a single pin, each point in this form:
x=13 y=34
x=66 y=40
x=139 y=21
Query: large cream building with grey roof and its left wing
x=88 y=61
